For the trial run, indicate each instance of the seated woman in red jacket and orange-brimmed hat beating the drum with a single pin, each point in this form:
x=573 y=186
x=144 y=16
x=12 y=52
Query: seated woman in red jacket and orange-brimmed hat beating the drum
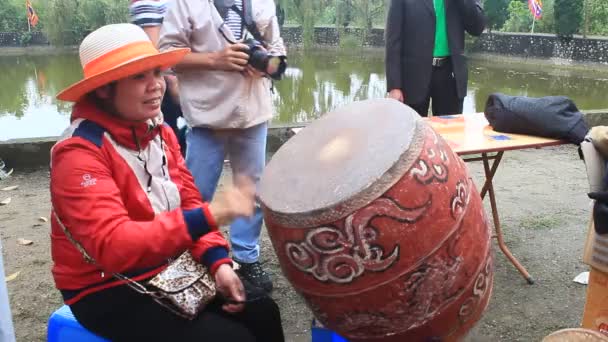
x=120 y=188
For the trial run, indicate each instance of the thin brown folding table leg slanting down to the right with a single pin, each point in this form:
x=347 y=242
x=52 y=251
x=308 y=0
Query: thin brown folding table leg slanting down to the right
x=488 y=186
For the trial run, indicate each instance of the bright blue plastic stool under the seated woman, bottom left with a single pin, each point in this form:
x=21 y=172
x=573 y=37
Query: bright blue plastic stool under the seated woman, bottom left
x=63 y=327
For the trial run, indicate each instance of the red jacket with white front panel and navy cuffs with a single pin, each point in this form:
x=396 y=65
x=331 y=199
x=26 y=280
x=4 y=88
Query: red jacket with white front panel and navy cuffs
x=123 y=192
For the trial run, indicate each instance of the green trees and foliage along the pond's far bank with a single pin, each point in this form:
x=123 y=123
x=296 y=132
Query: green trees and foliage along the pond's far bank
x=66 y=22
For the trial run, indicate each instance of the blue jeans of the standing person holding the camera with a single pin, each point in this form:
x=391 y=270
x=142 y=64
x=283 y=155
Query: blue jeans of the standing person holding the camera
x=246 y=150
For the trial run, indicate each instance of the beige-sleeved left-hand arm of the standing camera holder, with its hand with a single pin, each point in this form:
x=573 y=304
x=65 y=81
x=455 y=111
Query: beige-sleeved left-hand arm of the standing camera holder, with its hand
x=177 y=32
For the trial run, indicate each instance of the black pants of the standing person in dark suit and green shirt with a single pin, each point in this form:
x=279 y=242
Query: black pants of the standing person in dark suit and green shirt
x=443 y=92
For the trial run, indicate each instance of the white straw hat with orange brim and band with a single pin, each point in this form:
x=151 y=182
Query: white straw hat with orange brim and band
x=113 y=52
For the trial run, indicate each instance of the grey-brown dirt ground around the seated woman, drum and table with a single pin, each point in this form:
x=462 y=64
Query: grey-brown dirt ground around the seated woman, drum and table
x=544 y=211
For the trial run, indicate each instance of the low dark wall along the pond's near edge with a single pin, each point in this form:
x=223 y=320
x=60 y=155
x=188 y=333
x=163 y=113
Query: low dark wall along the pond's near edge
x=35 y=153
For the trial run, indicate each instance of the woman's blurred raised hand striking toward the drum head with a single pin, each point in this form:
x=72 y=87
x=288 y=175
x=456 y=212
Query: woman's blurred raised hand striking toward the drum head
x=235 y=201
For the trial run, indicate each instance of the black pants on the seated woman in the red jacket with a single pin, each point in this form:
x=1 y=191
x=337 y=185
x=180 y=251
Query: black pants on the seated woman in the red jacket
x=121 y=314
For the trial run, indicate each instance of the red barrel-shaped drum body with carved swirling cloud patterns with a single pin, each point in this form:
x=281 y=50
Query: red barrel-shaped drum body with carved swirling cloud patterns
x=411 y=264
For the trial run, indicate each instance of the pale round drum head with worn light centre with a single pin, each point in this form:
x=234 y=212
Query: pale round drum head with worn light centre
x=338 y=156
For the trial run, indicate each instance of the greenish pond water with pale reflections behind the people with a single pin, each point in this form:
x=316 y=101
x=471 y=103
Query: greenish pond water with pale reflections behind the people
x=315 y=83
